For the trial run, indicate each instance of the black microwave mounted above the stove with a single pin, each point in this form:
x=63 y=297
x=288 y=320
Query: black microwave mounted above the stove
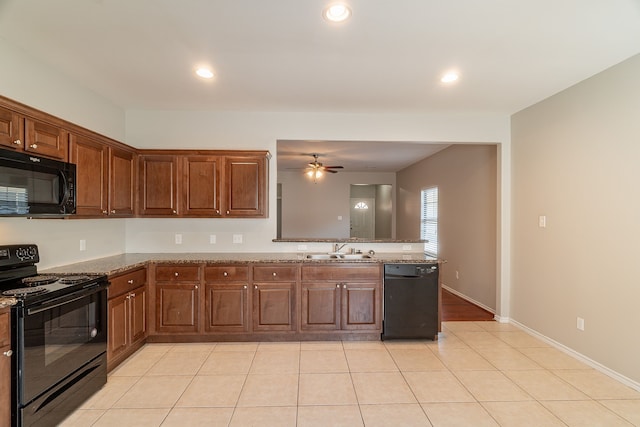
x=33 y=186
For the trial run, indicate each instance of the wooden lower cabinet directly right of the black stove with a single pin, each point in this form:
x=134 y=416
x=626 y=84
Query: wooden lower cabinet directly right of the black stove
x=127 y=309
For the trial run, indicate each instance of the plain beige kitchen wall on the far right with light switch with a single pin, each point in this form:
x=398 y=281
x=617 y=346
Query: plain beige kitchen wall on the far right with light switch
x=575 y=159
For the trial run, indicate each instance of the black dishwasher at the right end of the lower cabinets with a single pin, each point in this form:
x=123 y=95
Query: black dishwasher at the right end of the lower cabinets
x=410 y=301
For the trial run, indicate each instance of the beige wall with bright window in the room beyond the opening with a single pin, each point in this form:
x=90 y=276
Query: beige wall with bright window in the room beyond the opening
x=467 y=189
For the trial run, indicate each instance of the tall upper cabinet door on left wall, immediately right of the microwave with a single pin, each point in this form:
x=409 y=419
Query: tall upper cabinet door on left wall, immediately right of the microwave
x=90 y=158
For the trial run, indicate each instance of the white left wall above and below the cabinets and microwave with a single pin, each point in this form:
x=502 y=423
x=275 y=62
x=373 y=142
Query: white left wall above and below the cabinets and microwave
x=36 y=85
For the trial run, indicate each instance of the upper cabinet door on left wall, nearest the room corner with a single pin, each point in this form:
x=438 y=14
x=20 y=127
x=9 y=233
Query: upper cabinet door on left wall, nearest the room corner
x=121 y=182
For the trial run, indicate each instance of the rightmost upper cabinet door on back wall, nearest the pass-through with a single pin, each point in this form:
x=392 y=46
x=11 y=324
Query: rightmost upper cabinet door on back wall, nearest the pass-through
x=245 y=186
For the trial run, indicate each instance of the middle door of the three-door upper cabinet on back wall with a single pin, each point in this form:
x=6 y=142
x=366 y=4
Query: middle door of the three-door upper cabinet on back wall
x=201 y=186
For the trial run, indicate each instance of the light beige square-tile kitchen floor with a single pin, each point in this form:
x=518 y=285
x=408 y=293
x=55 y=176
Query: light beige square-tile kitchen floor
x=476 y=374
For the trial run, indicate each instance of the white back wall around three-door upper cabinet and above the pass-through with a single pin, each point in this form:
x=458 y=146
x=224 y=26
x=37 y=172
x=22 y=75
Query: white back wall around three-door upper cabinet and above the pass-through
x=254 y=130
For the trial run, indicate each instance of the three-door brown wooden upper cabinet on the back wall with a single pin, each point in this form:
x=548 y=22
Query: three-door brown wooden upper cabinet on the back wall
x=212 y=184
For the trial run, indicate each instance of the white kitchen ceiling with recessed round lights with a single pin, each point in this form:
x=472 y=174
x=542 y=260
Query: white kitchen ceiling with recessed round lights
x=280 y=55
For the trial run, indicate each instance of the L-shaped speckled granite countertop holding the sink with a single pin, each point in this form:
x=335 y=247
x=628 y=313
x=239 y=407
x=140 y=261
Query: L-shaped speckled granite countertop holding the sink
x=119 y=263
